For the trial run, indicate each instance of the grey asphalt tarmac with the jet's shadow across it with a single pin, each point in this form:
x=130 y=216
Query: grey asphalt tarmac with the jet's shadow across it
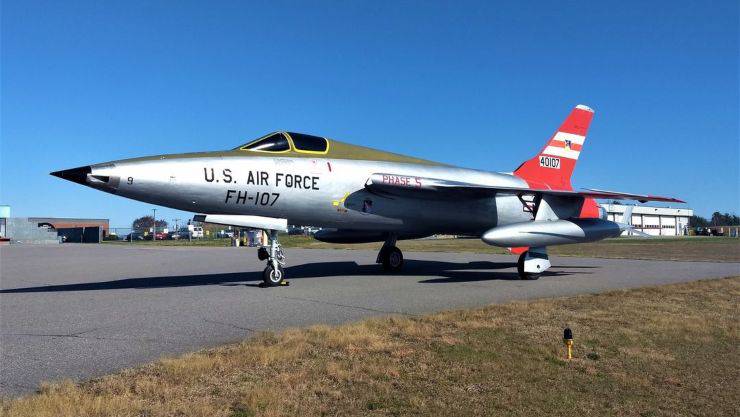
x=80 y=311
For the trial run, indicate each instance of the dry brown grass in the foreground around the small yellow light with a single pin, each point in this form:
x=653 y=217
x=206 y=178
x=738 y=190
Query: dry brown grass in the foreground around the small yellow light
x=670 y=350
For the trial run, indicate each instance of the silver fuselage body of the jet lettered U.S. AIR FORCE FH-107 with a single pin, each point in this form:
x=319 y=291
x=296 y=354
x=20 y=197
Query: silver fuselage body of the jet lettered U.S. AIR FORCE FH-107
x=322 y=192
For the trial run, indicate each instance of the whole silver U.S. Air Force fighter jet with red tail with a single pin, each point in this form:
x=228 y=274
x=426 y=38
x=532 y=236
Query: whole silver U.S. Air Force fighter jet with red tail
x=357 y=194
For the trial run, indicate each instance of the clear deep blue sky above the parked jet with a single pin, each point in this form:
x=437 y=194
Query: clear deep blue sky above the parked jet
x=477 y=84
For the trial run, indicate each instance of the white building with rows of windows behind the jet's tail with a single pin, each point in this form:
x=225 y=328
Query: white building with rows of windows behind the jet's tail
x=657 y=221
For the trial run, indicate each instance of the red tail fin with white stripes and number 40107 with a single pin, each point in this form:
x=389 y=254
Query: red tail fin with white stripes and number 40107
x=553 y=166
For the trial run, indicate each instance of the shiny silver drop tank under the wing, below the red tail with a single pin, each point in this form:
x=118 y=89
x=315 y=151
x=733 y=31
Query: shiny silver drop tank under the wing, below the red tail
x=549 y=233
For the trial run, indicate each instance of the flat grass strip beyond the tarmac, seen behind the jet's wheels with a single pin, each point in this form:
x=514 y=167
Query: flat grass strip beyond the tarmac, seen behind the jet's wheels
x=687 y=249
